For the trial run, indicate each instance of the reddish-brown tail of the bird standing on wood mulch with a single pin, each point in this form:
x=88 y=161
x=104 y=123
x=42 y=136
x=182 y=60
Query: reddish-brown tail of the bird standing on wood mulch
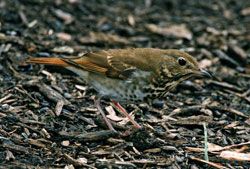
x=47 y=61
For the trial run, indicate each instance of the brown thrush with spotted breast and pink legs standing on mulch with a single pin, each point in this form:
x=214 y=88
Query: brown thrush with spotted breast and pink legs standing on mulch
x=136 y=75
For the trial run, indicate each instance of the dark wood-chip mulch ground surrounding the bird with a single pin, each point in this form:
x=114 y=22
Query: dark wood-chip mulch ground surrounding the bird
x=47 y=115
